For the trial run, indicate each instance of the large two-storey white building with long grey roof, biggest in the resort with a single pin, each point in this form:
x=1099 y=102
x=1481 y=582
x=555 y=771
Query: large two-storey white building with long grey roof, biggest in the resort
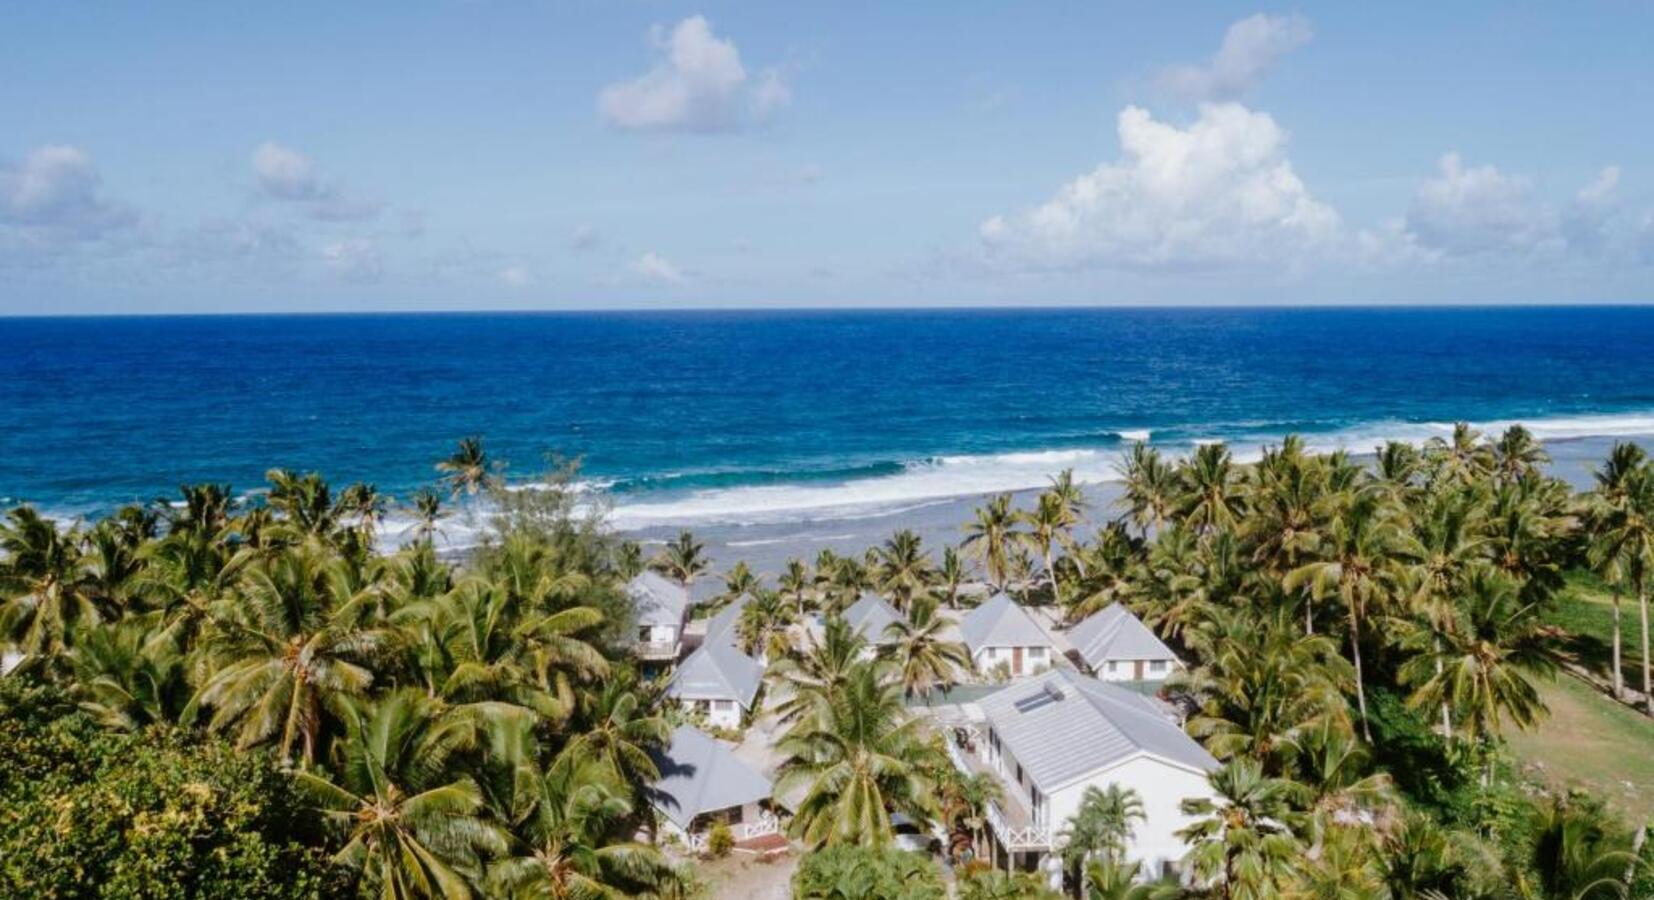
x=1053 y=737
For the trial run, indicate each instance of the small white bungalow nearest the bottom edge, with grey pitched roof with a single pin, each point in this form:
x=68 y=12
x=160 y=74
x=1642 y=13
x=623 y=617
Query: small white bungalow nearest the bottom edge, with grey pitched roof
x=702 y=783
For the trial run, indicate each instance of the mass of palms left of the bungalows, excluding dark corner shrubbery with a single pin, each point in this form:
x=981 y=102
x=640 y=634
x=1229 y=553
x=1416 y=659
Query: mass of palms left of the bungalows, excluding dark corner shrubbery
x=462 y=730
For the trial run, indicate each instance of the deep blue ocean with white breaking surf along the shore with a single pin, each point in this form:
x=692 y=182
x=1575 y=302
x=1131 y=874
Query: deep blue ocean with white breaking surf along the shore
x=750 y=414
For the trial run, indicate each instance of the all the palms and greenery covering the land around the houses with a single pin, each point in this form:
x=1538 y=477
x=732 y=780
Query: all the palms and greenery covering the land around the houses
x=222 y=697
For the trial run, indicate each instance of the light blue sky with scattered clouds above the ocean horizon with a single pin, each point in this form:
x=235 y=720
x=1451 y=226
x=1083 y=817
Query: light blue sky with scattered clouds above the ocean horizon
x=487 y=155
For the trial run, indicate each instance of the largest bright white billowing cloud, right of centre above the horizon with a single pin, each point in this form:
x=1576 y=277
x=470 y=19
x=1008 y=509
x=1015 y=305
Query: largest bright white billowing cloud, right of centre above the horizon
x=1217 y=193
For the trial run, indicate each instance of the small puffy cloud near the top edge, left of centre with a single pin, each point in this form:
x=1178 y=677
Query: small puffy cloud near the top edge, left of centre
x=697 y=85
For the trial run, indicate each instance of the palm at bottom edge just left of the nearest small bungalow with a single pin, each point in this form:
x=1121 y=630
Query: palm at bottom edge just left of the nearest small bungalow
x=570 y=848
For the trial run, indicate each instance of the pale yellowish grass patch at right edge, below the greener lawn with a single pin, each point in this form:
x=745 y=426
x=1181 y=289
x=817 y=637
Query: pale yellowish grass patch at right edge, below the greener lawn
x=1597 y=744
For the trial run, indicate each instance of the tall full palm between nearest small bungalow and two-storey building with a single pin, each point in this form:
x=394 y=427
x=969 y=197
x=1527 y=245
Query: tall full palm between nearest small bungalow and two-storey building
x=864 y=760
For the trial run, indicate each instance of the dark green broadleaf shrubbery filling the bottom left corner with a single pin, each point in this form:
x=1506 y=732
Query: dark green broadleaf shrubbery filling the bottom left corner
x=155 y=815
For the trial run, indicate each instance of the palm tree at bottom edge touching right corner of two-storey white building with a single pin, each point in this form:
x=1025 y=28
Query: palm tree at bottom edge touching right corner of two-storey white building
x=1243 y=840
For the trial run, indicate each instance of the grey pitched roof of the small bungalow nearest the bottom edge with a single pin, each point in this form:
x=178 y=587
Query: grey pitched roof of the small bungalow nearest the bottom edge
x=700 y=775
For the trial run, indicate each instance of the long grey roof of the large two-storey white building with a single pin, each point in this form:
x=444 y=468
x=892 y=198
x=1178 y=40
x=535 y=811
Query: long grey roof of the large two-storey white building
x=1063 y=727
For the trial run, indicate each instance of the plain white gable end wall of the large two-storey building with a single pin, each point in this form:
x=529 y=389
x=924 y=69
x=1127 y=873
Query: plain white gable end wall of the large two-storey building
x=1162 y=787
